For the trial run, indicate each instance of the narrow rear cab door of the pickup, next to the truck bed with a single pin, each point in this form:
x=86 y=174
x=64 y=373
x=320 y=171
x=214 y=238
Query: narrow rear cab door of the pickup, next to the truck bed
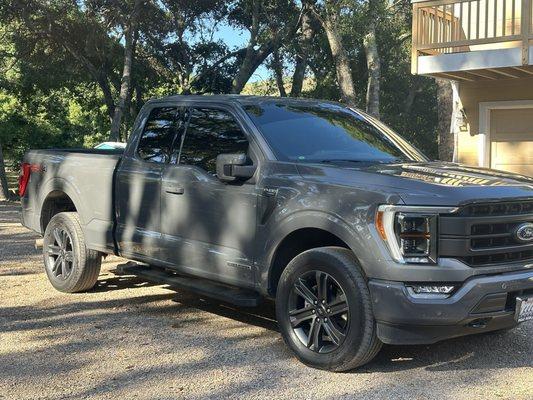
x=138 y=183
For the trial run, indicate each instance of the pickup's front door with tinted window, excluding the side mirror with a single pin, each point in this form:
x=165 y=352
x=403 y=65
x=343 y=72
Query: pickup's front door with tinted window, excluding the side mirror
x=209 y=226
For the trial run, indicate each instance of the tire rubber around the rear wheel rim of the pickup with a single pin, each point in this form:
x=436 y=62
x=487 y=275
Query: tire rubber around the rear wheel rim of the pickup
x=62 y=221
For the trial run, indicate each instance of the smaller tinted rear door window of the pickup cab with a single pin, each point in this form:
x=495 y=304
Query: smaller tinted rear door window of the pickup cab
x=156 y=141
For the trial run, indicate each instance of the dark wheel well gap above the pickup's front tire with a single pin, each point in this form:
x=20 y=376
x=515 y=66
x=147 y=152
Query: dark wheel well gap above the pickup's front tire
x=295 y=243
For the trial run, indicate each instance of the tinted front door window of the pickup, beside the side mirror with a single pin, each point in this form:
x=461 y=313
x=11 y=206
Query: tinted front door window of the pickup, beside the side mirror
x=211 y=132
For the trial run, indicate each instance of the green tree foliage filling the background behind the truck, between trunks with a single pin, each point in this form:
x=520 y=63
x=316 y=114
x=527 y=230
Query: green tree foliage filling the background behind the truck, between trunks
x=61 y=64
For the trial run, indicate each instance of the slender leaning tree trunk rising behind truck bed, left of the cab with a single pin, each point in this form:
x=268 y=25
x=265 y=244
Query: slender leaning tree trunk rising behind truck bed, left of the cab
x=125 y=83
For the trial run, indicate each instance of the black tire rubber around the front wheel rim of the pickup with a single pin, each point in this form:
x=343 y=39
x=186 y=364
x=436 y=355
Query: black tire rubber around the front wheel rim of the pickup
x=337 y=268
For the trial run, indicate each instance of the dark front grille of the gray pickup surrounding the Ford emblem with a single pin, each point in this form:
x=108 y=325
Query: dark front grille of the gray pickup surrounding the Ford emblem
x=485 y=234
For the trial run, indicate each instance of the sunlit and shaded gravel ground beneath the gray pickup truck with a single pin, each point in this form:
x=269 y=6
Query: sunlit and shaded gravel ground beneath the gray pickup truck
x=129 y=339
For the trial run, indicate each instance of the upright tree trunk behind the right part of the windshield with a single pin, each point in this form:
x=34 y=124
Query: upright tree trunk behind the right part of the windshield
x=373 y=63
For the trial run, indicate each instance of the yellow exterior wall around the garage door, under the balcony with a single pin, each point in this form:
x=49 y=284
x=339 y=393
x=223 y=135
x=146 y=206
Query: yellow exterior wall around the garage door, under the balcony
x=473 y=93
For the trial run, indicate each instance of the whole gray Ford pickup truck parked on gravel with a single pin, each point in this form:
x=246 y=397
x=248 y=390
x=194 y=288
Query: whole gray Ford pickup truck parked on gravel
x=359 y=238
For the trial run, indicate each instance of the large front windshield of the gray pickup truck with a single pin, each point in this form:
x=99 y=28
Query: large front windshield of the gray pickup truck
x=326 y=132
